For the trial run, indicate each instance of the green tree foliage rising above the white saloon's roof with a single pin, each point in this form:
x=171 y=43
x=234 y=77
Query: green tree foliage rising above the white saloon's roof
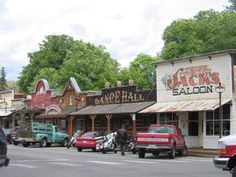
x=208 y=31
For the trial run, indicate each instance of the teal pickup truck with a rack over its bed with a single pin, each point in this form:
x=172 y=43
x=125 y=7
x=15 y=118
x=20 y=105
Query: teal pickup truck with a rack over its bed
x=43 y=133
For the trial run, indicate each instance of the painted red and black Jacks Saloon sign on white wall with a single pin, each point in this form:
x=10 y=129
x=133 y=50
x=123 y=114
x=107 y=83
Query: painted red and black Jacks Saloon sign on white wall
x=191 y=80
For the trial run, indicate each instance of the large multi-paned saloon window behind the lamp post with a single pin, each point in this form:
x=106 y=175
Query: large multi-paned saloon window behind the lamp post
x=213 y=122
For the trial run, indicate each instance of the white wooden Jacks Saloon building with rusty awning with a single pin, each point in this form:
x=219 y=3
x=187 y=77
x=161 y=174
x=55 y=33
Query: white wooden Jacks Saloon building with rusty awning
x=186 y=96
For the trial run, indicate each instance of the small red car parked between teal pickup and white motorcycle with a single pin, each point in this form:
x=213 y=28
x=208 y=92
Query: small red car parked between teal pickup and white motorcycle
x=88 y=140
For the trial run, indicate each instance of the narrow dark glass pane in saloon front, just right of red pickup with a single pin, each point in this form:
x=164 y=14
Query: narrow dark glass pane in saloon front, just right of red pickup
x=193 y=123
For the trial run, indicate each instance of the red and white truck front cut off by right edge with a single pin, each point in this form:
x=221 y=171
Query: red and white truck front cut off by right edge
x=226 y=159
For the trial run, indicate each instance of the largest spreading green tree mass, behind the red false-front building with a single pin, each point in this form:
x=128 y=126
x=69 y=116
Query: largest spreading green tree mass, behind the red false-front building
x=61 y=57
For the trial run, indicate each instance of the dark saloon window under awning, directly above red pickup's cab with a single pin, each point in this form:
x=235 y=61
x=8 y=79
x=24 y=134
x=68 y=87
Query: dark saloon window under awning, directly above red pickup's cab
x=169 y=118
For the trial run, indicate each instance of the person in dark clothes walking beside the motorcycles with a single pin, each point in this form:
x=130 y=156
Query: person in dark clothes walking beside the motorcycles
x=122 y=138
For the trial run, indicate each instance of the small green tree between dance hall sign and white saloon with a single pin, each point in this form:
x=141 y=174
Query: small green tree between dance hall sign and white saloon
x=142 y=71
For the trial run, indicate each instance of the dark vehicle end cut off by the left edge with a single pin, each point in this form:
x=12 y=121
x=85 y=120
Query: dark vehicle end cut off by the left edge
x=4 y=161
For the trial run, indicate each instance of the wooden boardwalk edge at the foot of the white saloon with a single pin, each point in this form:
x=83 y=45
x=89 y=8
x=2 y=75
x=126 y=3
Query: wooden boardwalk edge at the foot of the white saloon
x=199 y=152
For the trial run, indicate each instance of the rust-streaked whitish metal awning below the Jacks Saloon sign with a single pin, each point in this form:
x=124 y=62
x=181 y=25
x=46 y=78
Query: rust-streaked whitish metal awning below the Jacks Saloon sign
x=185 y=106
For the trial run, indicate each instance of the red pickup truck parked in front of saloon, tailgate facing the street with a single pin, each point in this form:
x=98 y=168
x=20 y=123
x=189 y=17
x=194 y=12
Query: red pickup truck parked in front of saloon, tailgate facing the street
x=161 y=138
